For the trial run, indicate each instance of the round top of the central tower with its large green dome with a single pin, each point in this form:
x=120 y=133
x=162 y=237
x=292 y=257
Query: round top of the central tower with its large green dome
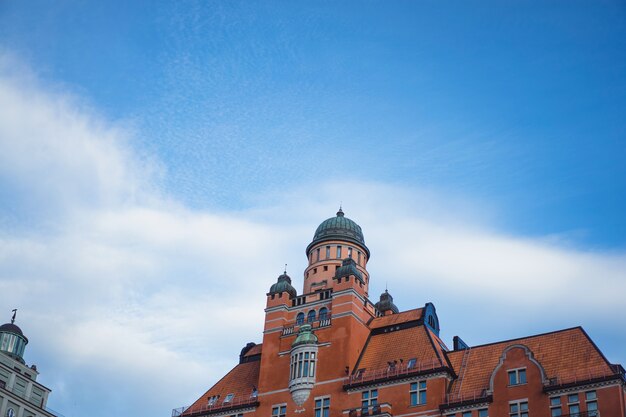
x=338 y=246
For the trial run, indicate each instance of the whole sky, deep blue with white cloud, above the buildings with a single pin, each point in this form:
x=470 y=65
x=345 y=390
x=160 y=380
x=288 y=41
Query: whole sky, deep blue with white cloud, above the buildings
x=139 y=134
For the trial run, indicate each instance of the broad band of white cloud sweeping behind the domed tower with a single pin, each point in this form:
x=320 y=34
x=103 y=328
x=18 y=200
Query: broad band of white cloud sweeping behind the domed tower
x=136 y=291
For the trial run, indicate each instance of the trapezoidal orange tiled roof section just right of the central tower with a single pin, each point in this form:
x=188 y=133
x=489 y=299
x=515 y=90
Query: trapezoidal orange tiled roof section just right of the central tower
x=408 y=343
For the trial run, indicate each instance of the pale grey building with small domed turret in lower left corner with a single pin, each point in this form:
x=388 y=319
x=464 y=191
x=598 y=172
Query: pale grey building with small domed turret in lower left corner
x=20 y=393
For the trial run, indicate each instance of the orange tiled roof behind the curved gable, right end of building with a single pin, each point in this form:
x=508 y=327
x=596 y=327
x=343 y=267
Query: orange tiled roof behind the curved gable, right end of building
x=564 y=354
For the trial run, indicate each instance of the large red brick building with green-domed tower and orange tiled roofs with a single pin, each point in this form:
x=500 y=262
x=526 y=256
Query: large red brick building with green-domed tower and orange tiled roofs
x=333 y=352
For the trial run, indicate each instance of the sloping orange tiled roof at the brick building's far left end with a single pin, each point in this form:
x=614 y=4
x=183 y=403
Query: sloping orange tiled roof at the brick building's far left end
x=241 y=381
